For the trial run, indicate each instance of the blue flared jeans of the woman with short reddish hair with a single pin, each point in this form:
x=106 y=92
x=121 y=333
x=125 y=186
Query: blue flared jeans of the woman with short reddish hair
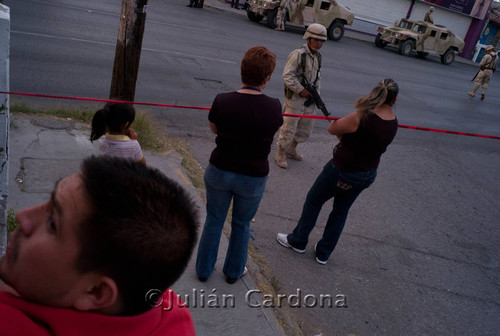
x=245 y=192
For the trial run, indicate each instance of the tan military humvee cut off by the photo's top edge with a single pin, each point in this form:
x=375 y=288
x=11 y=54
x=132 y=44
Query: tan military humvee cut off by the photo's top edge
x=329 y=13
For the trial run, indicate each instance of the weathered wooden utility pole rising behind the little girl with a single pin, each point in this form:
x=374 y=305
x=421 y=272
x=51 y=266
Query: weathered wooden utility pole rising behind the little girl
x=128 y=49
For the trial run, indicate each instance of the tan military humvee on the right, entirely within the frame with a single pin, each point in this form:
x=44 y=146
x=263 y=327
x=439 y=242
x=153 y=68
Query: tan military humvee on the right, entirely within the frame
x=421 y=36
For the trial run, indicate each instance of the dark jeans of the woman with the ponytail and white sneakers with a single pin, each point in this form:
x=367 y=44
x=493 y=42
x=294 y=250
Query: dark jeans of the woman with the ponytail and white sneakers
x=345 y=188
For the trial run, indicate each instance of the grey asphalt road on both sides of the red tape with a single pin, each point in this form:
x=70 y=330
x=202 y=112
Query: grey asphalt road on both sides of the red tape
x=419 y=254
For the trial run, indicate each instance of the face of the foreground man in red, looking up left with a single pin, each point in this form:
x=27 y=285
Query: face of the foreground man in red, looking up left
x=40 y=259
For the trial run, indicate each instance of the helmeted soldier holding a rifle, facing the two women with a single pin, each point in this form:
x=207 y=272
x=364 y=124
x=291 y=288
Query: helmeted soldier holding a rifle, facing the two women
x=304 y=60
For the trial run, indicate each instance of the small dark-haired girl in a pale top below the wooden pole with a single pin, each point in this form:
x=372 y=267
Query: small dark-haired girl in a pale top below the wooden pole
x=111 y=125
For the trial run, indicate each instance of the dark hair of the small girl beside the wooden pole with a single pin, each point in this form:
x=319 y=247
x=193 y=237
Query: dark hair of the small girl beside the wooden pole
x=111 y=118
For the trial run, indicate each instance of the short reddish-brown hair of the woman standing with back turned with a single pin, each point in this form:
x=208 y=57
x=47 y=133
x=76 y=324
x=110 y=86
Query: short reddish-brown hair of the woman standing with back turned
x=257 y=64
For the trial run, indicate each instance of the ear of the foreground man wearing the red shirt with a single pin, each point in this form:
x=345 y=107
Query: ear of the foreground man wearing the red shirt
x=101 y=295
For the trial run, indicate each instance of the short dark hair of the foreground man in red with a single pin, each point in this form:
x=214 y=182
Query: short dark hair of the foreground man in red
x=141 y=231
